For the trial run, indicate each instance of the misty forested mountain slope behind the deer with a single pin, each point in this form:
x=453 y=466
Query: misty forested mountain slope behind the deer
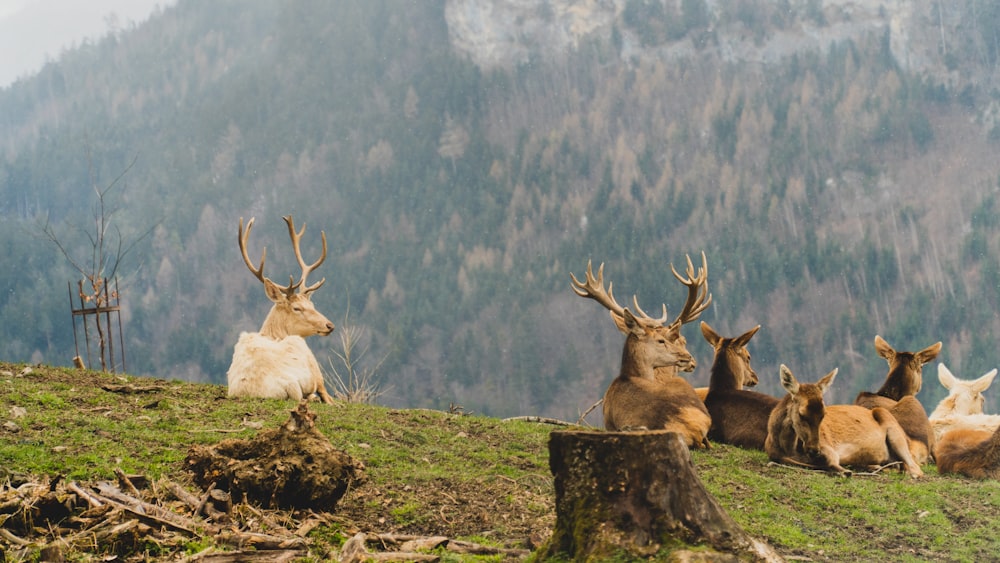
x=836 y=161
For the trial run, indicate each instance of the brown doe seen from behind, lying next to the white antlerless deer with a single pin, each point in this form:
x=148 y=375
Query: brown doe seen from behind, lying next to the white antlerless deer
x=899 y=395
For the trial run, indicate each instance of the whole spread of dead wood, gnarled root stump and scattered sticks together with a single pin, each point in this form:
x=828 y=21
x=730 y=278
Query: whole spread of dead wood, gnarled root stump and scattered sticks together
x=238 y=515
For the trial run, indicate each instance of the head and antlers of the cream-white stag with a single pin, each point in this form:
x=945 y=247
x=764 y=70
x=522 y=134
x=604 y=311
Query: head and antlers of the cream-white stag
x=293 y=312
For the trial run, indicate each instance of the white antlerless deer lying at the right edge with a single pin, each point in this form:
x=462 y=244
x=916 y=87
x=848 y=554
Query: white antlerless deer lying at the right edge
x=963 y=407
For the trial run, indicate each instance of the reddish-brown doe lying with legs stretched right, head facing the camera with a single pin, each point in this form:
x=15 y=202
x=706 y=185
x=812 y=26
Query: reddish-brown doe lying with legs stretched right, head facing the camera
x=803 y=431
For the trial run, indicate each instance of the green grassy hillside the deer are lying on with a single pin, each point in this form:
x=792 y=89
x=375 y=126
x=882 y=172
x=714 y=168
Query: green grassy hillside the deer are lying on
x=464 y=476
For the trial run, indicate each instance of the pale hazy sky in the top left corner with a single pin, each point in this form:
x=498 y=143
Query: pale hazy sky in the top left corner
x=32 y=31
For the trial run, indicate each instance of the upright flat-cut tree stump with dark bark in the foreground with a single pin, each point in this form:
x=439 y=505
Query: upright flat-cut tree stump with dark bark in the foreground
x=637 y=492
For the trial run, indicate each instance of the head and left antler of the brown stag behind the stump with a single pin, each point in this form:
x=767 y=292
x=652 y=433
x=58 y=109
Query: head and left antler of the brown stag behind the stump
x=649 y=344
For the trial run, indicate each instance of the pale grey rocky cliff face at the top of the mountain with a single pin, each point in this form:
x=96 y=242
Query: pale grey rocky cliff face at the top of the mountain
x=510 y=32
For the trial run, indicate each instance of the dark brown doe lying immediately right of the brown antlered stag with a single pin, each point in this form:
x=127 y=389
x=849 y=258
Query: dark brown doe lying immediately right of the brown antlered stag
x=739 y=416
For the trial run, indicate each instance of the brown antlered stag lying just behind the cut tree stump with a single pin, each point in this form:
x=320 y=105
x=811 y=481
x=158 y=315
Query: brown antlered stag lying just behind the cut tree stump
x=640 y=398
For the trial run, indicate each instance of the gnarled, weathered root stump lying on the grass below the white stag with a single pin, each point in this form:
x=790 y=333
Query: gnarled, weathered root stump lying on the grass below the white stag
x=294 y=466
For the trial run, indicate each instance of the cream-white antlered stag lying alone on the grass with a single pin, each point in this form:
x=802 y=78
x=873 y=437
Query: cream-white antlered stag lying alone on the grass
x=276 y=362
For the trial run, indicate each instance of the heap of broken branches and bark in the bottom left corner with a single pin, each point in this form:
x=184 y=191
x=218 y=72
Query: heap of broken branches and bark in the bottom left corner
x=132 y=517
